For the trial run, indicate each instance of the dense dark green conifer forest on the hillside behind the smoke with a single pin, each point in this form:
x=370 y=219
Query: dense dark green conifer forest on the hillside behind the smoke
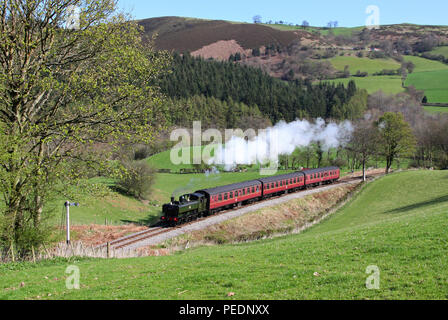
x=276 y=99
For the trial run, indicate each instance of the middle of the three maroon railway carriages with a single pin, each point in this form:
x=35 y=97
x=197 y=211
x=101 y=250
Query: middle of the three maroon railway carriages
x=283 y=184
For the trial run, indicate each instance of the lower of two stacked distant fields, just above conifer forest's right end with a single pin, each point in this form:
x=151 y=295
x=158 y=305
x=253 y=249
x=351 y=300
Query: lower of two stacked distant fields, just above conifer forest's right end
x=388 y=84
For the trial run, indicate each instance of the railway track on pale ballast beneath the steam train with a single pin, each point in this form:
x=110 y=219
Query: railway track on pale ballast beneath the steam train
x=144 y=236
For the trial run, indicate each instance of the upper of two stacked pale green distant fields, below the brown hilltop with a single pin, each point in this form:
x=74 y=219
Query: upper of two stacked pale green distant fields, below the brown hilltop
x=363 y=64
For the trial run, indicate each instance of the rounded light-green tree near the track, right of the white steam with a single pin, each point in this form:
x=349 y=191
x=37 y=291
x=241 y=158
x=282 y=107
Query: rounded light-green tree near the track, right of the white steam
x=396 y=137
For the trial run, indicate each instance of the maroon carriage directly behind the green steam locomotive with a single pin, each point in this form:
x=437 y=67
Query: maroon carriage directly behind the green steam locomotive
x=232 y=195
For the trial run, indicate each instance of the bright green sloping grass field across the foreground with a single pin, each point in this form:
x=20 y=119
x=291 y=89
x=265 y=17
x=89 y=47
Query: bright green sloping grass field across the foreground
x=405 y=236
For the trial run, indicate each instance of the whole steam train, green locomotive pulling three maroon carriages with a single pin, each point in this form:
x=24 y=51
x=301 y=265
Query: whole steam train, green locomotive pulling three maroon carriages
x=208 y=202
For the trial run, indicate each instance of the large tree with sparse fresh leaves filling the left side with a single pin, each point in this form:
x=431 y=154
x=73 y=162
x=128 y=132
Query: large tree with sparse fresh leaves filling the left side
x=63 y=90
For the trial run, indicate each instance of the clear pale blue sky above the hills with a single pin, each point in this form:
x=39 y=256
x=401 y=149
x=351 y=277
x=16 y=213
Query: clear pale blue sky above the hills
x=348 y=13
